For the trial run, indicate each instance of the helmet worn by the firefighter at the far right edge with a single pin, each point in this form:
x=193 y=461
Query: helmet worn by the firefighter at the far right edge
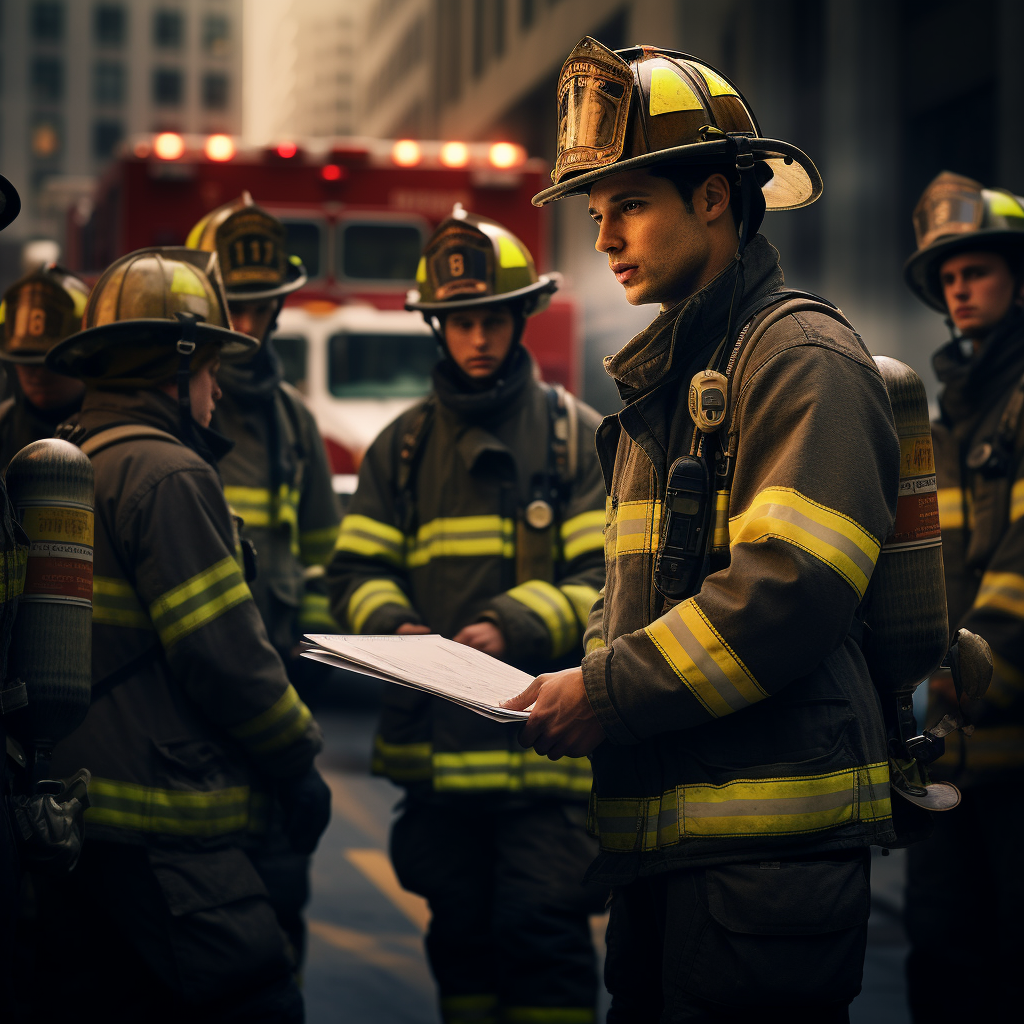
x=957 y=215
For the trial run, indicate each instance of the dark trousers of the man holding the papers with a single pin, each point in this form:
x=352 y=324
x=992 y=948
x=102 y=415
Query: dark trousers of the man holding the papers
x=776 y=942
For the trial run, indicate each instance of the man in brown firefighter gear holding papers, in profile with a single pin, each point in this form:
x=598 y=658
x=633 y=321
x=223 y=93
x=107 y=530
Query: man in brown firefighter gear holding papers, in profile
x=737 y=739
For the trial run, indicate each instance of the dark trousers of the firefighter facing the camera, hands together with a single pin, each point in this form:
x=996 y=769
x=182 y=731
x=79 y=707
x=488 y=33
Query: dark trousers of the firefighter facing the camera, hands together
x=509 y=938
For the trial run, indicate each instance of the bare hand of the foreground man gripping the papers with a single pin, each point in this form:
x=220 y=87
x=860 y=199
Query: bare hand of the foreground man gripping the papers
x=563 y=723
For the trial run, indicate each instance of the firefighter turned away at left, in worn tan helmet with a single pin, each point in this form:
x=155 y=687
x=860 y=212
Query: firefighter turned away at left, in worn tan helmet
x=194 y=727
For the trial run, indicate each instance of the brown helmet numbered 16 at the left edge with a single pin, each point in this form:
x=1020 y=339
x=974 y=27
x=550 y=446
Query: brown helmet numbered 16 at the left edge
x=38 y=311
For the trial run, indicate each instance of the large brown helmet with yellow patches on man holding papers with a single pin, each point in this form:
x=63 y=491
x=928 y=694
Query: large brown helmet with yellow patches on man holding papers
x=620 y=110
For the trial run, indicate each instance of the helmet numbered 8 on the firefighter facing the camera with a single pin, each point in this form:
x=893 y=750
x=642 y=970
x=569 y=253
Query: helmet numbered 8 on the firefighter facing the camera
x=473 y=262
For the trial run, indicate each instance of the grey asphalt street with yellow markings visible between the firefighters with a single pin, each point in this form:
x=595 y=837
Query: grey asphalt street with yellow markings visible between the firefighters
x=366 y=959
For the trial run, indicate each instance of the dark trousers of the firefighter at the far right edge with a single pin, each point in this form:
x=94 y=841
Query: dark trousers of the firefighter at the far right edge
x=965 y=908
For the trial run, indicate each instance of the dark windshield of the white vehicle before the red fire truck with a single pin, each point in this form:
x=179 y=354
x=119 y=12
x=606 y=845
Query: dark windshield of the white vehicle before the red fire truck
x=380 y=366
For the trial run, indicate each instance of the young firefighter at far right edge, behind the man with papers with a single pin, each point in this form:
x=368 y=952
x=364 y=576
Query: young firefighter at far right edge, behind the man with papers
x=970 y=268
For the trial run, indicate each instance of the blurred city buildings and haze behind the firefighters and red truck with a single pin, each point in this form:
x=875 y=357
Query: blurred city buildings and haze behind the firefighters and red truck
x=882 y=94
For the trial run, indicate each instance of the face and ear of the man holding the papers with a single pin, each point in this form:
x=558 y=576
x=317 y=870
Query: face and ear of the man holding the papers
x=657 y=248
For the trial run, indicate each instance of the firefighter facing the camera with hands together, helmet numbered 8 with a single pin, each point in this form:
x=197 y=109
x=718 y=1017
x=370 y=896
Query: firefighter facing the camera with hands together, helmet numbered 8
x=479 y=517
